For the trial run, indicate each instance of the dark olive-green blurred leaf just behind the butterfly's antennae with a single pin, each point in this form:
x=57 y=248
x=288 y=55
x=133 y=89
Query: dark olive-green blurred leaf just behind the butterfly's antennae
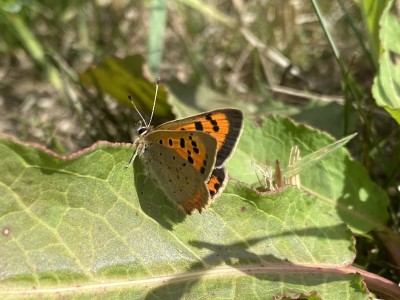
x=122 y=77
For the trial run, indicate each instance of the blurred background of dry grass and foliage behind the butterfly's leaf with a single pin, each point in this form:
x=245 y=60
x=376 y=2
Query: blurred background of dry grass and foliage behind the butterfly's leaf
x=67 y=67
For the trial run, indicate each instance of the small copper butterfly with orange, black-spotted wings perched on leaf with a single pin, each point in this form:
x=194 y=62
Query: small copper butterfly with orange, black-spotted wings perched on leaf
x=186 y=157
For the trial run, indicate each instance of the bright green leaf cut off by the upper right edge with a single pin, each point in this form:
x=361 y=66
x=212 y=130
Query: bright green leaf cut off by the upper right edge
x=386 y=88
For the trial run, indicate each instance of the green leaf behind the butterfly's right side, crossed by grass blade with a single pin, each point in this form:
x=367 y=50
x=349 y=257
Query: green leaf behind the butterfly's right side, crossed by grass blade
x=338 y=182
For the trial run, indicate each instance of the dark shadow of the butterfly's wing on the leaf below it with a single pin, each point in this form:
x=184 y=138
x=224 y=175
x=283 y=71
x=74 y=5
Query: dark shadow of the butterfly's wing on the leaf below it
x=152 y=200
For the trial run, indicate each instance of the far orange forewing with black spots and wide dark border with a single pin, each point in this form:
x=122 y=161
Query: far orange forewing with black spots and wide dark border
x=224 y=125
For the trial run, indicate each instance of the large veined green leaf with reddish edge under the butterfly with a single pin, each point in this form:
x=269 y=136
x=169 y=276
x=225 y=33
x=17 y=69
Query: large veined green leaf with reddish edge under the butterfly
x=86 y=227
